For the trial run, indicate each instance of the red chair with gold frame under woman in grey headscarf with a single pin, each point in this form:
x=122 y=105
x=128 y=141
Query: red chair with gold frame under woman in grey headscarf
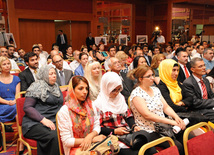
x=29 y=143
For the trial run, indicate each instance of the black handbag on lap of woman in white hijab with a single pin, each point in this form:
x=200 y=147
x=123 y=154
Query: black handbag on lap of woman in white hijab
x=135 y=139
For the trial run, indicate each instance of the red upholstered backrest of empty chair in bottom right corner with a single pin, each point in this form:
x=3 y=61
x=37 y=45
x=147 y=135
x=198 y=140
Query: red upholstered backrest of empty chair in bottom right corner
x=203 y=144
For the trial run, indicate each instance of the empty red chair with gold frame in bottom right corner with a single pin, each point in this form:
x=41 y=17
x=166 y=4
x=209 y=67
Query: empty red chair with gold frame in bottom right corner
x=202 y=144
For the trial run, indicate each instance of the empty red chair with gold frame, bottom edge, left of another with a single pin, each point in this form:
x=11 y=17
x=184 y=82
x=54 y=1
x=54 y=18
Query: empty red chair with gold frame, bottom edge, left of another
x=172 y=150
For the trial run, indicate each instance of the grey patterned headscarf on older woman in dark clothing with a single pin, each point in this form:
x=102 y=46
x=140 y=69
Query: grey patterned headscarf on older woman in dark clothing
x=39 y=88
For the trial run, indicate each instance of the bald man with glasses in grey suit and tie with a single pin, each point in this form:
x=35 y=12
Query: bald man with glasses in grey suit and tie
x=63 y=75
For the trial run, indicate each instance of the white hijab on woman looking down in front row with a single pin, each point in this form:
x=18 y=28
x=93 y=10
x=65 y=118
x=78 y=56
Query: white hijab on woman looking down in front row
x=117 y=105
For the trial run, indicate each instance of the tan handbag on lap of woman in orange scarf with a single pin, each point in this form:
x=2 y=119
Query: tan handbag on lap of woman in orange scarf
x=108 y=145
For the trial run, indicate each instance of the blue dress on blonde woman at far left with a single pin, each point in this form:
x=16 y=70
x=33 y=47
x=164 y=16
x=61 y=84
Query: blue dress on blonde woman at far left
x=8 y=92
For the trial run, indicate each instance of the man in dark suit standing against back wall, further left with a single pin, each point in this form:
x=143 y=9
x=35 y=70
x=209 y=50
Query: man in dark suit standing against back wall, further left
x=61 y=41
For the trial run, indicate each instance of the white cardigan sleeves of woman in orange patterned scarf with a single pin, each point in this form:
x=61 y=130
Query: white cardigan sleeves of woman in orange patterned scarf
x=65 y=127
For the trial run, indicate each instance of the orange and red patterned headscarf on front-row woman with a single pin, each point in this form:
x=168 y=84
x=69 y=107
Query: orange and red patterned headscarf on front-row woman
x=82 y=114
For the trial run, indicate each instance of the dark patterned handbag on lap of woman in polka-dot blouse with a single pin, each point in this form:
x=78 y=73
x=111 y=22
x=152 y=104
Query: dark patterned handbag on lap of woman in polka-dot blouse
x=165 y=130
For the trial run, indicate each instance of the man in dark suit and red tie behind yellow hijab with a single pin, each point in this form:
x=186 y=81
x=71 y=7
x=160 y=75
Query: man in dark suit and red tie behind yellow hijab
x=184 y=71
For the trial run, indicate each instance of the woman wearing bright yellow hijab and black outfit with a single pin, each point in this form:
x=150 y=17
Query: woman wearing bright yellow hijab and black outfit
x=174 y=93
